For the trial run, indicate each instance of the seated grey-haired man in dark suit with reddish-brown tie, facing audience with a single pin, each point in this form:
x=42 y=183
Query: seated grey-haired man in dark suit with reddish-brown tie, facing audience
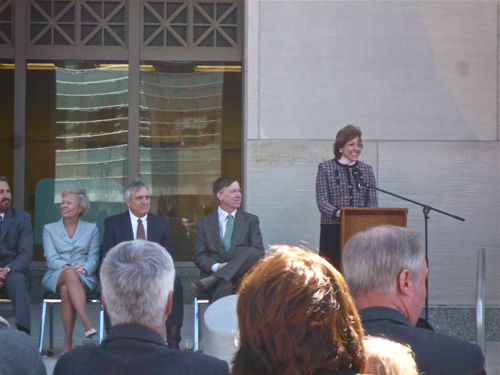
x=139 y=223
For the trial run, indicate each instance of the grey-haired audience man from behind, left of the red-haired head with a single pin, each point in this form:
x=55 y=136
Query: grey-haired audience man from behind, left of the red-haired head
x=137 y=280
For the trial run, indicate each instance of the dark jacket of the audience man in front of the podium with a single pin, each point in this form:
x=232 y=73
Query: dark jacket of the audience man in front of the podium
x=435 y=353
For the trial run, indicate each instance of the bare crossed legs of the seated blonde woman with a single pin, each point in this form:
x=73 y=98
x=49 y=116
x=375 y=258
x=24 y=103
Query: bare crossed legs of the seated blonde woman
x=73 y=301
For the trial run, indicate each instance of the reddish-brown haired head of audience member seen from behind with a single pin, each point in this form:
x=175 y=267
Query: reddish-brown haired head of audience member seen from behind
x=297 y=317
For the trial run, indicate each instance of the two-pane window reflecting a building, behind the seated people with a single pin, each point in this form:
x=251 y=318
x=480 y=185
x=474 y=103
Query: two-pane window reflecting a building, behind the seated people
x=77 y=134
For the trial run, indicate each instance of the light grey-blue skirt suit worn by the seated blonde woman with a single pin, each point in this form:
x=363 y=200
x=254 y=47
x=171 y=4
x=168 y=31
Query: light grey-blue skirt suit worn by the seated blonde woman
x=59 y=250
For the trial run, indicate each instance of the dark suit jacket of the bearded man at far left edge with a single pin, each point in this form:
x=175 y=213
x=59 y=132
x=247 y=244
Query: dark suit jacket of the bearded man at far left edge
x=16 y=241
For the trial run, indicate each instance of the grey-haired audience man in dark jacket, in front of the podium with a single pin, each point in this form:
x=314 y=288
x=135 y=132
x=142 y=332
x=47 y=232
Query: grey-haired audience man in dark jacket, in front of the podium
x=385 y=269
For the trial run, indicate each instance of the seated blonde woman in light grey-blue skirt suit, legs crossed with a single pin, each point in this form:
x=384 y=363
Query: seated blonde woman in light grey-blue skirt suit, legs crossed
x=71 y=247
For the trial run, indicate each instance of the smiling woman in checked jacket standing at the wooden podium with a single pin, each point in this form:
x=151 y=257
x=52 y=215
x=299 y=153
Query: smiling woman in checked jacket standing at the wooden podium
x=341 y=183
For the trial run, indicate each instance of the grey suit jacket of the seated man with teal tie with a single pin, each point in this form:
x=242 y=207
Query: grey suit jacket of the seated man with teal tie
x=208 y=245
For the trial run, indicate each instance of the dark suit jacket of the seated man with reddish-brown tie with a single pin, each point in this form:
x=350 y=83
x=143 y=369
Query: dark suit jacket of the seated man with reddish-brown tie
x=118 y=229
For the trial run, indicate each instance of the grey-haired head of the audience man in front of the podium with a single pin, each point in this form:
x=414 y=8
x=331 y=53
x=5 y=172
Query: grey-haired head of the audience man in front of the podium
x=385 y=266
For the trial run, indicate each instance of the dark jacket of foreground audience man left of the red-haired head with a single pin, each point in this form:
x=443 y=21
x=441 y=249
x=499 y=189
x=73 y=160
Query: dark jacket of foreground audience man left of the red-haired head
x=134 y=349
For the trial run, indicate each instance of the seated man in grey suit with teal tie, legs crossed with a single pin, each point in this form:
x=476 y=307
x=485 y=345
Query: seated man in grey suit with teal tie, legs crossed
x=227 y=242
